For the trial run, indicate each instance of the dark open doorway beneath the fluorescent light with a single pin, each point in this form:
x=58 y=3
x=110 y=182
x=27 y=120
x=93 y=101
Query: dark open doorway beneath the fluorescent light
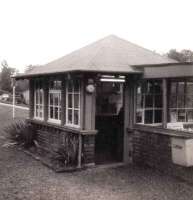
x=109 y=122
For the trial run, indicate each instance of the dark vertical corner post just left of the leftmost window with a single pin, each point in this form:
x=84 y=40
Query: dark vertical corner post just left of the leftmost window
x=31 y=98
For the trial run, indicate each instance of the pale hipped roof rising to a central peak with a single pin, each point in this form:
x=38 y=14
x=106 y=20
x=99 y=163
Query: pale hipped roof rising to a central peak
x=110 y=54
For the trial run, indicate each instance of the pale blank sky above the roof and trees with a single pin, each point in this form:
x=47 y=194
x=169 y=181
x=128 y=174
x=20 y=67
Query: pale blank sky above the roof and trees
x=35 y=32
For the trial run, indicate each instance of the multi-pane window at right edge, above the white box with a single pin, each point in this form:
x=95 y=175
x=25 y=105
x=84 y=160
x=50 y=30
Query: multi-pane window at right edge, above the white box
x=181 y=101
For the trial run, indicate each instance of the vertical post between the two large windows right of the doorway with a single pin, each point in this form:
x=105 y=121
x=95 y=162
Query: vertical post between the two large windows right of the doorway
x=165 y=104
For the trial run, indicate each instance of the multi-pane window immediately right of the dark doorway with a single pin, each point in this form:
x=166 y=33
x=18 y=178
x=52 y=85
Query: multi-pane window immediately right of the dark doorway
x=149 y=102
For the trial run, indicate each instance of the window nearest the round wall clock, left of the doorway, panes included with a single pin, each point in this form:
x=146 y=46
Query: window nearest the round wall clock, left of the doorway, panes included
x=73 y=103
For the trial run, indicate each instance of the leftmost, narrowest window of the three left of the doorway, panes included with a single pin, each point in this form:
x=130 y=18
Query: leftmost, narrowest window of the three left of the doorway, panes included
x=38 y=99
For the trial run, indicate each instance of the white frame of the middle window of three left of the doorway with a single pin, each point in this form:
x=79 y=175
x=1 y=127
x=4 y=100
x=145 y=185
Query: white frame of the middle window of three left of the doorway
x=53 y=120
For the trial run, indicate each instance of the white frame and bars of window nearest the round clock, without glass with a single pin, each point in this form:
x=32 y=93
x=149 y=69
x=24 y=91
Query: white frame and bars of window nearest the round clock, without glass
x=73 y=109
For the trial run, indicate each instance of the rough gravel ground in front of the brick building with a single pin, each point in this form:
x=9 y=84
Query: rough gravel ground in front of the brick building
x=23 y=178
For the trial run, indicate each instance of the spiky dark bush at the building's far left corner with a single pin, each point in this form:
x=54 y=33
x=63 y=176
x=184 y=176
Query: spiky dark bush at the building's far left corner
x=21 y=133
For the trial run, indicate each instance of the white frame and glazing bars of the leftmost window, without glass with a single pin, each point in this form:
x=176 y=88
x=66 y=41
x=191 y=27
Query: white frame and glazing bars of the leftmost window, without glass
x=40 y=91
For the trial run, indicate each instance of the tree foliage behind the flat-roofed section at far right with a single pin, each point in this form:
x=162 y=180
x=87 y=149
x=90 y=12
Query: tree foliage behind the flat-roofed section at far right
x=181 y=56
